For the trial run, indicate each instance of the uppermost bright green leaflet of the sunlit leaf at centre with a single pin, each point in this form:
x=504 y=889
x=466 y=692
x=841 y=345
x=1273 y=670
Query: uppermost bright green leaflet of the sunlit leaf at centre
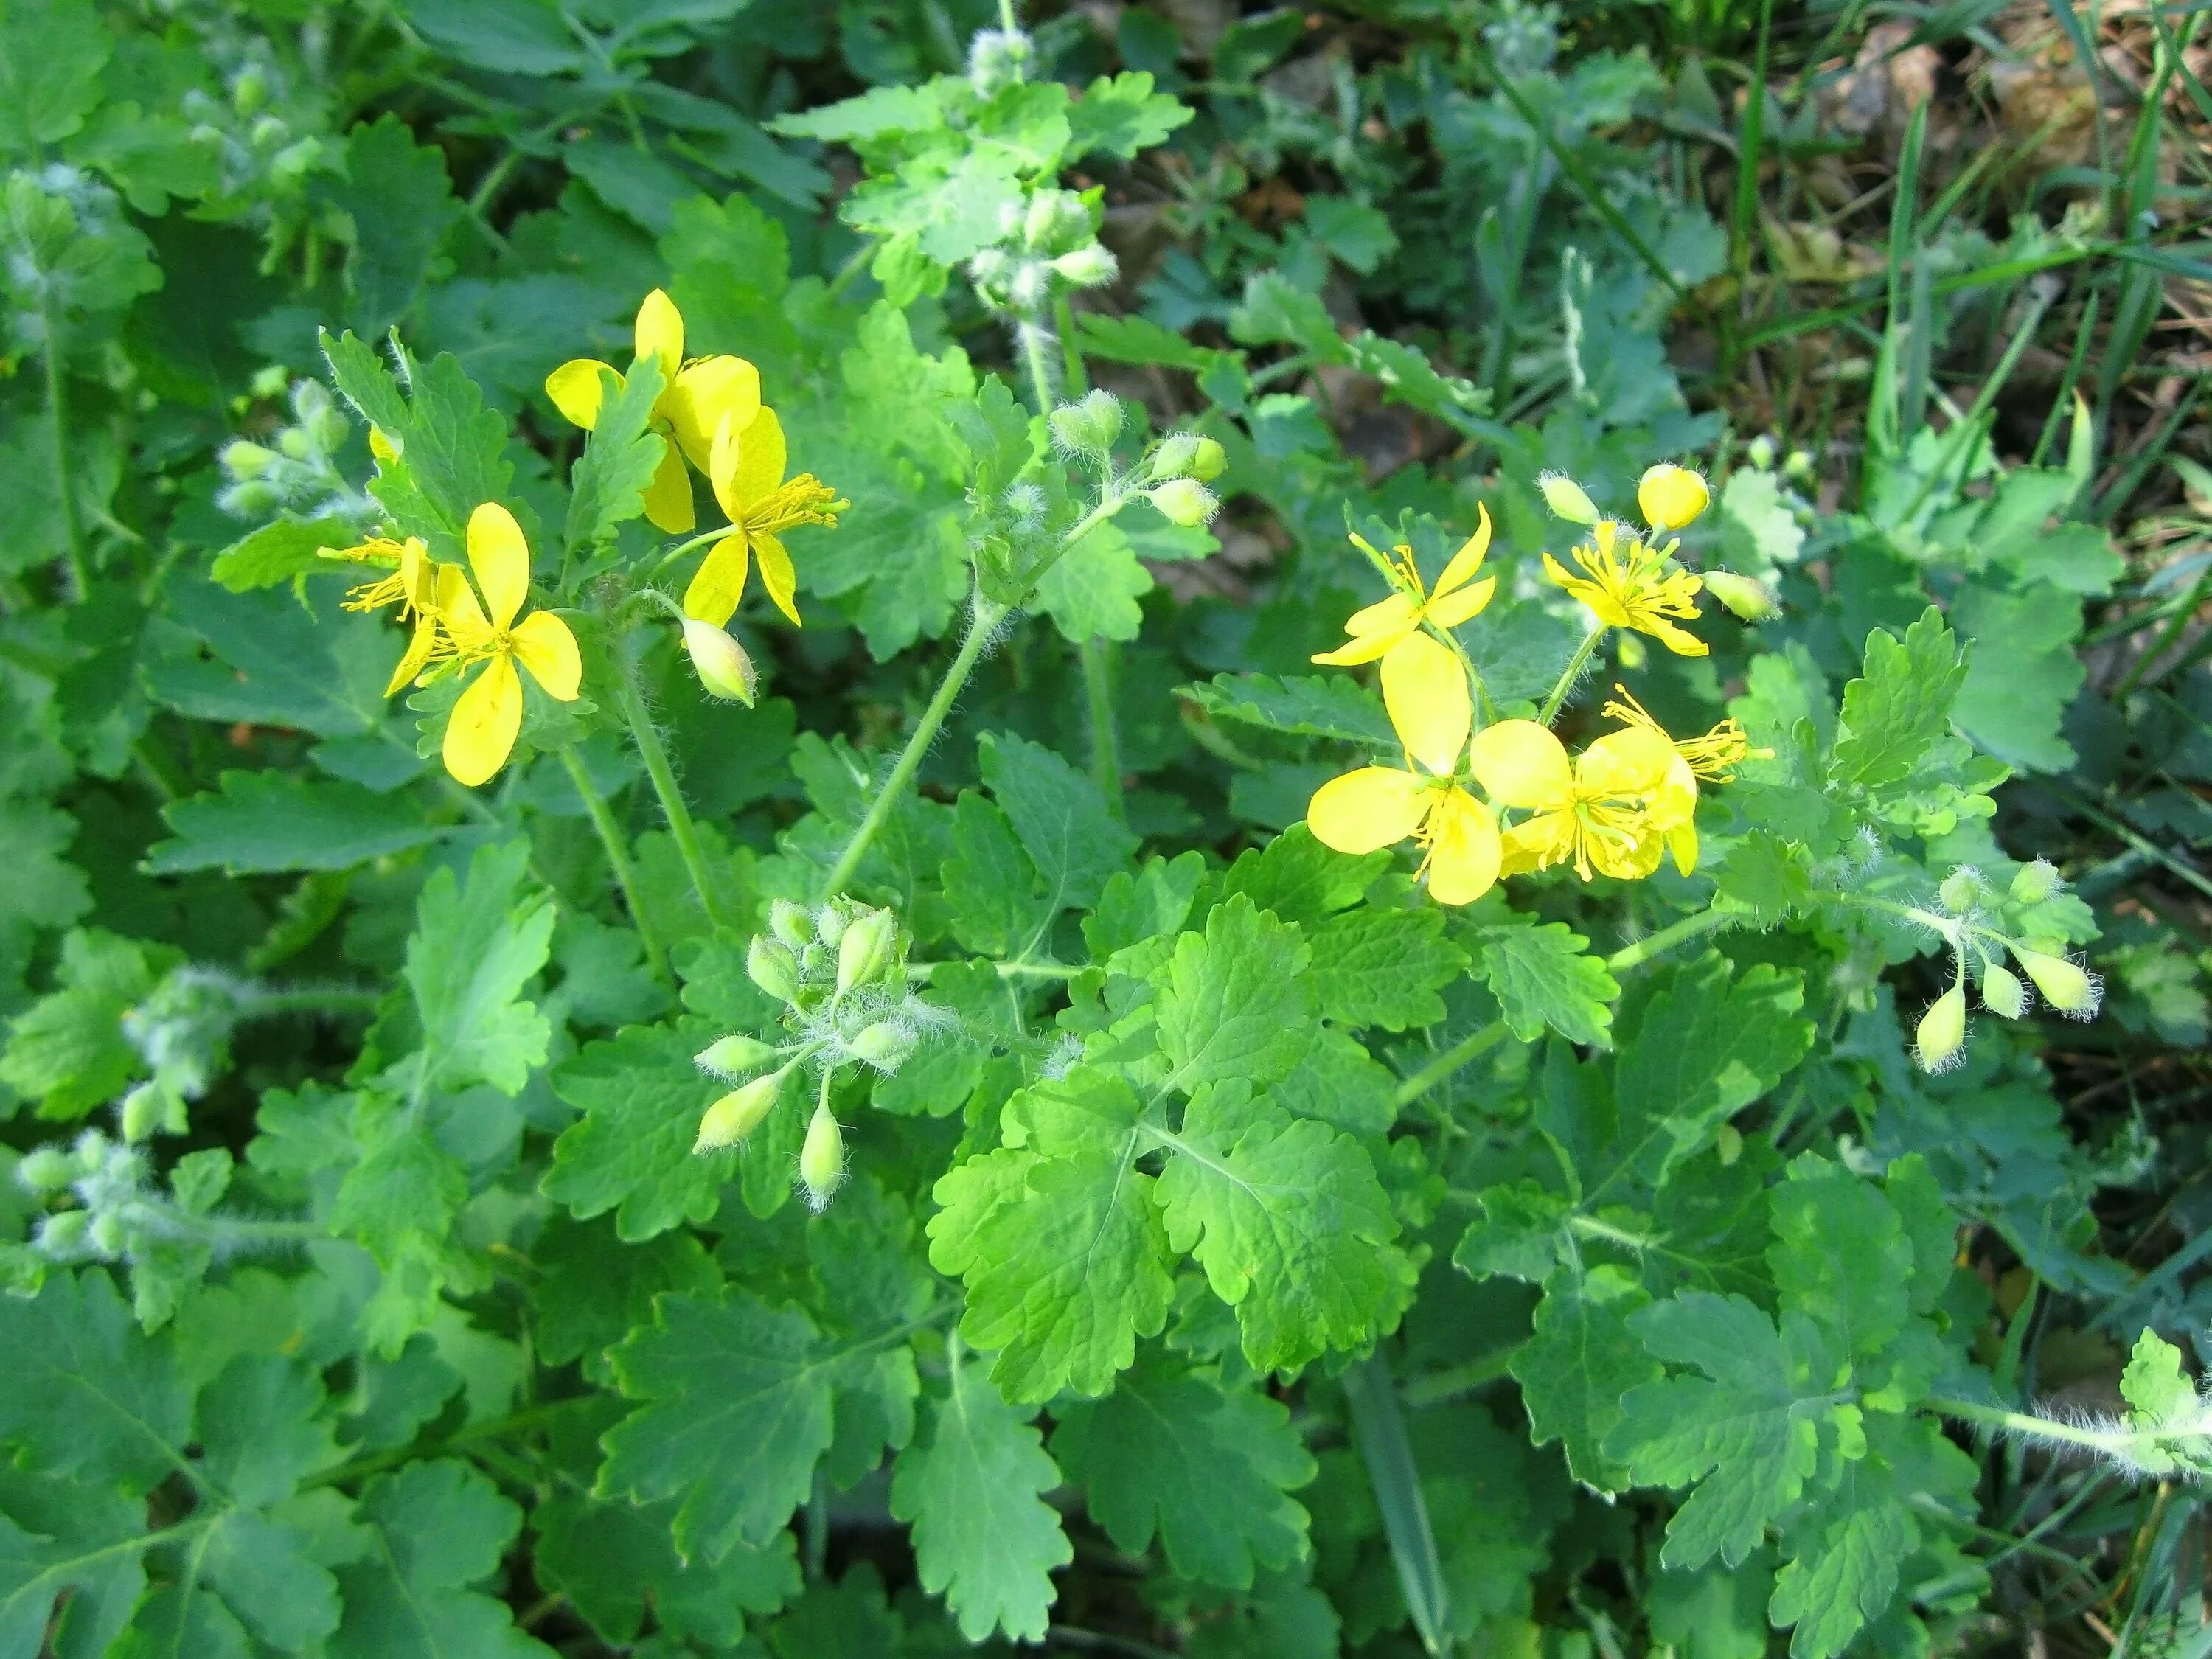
x=1235 y=1001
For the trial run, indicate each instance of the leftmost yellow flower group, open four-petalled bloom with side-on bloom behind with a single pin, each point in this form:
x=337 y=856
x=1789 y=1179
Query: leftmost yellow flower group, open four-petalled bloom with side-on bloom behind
x=461 y=627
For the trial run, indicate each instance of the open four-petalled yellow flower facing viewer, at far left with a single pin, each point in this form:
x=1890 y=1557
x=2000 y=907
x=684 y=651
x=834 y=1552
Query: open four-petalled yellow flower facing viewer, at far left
x=488 y=718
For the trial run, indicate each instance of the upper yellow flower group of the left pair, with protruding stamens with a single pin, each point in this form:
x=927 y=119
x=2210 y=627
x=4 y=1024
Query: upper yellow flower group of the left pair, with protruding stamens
x=711 y=415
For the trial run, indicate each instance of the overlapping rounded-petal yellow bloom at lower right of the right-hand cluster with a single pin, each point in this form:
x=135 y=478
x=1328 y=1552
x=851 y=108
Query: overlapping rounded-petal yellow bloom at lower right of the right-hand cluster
x=1611 y=811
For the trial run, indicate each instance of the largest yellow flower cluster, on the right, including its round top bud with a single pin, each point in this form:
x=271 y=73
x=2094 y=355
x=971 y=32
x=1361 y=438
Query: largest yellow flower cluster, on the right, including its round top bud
x=1616 y=808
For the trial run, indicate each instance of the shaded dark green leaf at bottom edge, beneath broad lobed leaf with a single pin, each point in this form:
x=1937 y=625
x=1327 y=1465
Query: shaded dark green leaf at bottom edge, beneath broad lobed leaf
x=616 y=1561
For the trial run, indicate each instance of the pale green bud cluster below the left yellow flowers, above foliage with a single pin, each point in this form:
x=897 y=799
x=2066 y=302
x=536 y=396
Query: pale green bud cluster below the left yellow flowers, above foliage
x=842 y=977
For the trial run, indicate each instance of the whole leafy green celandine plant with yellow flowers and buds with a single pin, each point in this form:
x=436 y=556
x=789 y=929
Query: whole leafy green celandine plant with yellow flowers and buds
x=831 y=1065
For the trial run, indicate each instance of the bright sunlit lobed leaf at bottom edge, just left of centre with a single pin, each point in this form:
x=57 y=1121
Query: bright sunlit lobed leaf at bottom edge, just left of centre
x=974 y=1490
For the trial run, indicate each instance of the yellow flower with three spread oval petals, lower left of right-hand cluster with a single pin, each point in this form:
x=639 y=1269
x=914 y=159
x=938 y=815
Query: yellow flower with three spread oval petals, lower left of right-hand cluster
x=1379 y=806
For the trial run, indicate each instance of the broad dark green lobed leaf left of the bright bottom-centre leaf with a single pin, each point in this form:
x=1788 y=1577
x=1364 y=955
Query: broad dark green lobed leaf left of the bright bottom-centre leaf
x=738 y=1415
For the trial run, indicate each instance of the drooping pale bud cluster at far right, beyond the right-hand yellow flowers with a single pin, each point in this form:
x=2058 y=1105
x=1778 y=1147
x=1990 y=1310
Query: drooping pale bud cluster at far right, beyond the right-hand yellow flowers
x=1970 y=926
